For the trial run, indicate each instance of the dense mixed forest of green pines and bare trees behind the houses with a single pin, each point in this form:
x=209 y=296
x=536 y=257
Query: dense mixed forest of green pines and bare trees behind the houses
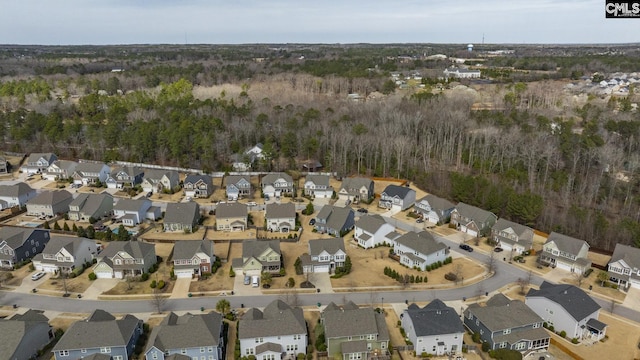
x=541 y=156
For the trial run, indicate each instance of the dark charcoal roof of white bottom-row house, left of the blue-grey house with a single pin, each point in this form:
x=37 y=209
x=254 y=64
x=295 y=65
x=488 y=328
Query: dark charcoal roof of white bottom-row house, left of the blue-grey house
x=436 y=318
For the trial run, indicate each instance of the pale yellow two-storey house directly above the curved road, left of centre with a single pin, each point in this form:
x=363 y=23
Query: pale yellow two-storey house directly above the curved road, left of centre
x=259 y=256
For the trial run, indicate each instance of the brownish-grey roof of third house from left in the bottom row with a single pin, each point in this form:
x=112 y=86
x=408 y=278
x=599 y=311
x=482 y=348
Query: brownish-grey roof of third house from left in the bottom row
x=186 y=331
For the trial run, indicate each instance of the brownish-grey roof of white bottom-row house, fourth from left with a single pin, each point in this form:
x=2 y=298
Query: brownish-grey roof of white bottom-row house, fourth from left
x=278 y=319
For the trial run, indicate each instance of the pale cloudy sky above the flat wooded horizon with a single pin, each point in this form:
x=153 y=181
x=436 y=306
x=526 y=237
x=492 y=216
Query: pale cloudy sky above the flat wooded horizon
x=59 y=22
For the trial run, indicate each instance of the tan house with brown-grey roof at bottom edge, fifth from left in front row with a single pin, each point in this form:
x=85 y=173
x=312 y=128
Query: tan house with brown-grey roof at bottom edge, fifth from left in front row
x=355 y=333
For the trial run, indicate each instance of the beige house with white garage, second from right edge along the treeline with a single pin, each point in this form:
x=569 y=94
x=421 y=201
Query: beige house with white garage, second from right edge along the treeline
x=566 y=253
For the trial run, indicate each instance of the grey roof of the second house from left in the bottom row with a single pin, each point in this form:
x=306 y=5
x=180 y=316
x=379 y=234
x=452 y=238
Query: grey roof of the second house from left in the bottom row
x=98 y=331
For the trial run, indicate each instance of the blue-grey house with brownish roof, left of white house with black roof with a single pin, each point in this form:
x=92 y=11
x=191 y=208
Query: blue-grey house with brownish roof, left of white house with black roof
x=507 y=324
